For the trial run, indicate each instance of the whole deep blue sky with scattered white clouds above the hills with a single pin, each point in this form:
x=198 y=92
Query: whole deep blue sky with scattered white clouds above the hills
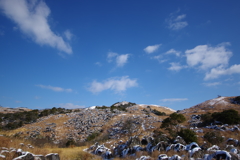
x=76 y=54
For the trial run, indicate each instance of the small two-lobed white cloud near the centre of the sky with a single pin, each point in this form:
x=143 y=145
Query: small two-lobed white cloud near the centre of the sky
x=121 y=60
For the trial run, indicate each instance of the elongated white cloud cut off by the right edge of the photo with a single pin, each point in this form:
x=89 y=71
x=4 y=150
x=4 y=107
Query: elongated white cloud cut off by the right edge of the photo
x=220 y=71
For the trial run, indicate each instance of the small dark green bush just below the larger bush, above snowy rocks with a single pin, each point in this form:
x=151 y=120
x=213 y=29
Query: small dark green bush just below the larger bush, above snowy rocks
x=188 y=135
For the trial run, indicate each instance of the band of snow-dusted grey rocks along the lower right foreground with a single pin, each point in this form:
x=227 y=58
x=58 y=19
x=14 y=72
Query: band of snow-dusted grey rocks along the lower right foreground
x=191 y=151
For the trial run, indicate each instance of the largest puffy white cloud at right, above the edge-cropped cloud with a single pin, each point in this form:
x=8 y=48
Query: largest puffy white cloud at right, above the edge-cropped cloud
x=205 y=57
